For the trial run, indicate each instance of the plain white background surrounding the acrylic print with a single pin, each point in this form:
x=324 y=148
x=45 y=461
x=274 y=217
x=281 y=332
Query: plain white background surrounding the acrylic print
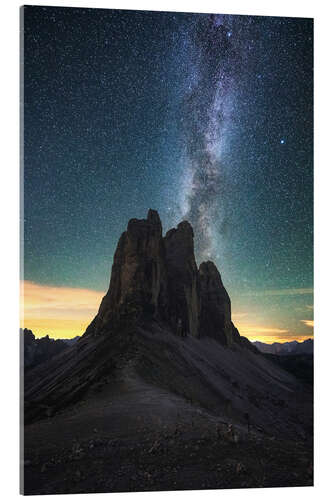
x=9 y=237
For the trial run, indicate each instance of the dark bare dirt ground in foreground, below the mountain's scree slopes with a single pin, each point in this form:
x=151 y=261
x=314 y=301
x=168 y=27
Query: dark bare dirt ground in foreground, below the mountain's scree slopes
x=136 y=437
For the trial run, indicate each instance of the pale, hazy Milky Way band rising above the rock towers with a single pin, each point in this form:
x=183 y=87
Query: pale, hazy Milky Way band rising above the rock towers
x=207 y=108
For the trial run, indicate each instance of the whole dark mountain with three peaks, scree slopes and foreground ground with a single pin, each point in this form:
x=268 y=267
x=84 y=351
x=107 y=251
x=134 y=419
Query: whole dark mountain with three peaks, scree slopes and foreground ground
x=161 y=392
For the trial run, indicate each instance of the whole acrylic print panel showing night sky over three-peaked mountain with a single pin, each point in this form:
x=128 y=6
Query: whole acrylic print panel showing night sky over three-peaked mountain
x=168 y=150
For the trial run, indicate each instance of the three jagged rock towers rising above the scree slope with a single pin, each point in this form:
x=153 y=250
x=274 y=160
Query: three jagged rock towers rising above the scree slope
x=157 y=278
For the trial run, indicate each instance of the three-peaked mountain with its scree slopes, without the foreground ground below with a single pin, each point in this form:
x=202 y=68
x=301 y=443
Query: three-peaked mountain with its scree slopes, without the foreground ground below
x=166 y=323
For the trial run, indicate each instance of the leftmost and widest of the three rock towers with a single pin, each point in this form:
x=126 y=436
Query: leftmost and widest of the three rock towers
x=138 y=278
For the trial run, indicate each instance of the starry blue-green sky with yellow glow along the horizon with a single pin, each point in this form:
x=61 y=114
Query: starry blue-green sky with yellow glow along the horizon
x=203 y=117
